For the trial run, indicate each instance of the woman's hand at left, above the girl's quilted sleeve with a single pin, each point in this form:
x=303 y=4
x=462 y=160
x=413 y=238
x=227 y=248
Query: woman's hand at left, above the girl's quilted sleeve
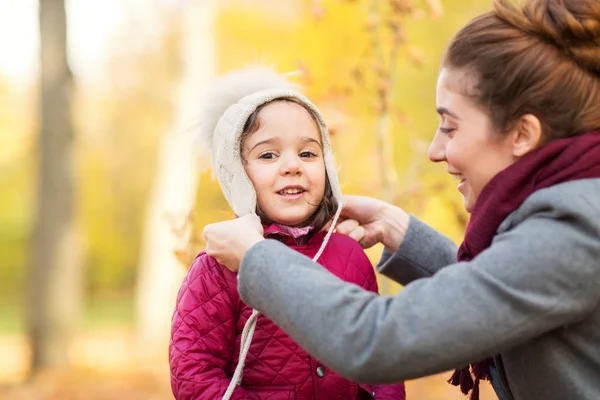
x=228 y=241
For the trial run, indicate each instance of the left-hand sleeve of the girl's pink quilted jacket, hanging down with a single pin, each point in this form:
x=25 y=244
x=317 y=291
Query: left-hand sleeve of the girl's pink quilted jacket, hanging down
x=203 y=334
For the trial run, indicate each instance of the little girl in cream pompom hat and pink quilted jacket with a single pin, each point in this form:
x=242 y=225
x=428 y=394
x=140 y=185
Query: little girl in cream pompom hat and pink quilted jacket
x=271 y=153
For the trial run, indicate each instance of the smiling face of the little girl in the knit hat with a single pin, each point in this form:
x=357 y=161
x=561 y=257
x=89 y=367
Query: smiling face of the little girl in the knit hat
x=284 y=161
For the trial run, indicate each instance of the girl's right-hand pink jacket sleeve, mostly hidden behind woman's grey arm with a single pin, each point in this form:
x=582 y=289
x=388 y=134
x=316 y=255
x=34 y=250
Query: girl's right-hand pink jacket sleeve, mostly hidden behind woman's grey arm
x=358 y=259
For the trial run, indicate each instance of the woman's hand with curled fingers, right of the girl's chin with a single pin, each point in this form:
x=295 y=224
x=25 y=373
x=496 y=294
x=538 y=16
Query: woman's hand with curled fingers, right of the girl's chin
x=370 y=221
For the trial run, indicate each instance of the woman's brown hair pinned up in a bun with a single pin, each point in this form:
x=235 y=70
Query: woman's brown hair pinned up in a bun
x=542 y=58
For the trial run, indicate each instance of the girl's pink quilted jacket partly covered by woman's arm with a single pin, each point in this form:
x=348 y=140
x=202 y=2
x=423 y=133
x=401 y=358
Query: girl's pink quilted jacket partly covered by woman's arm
x=209 y=318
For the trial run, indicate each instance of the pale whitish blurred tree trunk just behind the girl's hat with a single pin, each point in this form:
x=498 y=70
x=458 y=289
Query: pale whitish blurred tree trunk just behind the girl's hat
x=172 y=197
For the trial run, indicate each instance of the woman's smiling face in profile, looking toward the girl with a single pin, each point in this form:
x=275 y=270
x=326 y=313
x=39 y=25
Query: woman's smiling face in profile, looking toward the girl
x=465 y=139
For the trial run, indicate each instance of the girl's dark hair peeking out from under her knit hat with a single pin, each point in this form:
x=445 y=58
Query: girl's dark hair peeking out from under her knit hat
x=326 y=209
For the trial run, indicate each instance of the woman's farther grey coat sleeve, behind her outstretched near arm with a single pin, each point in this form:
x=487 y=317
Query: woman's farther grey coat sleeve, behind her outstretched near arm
x=414 y=259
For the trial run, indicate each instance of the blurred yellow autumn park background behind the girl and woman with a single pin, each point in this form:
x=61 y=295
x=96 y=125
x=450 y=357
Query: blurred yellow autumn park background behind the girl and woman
x=138 y=201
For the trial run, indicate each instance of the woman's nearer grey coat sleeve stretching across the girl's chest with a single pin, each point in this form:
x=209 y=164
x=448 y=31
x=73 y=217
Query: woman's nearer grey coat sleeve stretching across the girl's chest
x=535 y=278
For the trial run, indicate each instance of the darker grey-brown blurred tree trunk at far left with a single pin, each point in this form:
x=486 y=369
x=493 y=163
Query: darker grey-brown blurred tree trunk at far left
x=54 y=274
